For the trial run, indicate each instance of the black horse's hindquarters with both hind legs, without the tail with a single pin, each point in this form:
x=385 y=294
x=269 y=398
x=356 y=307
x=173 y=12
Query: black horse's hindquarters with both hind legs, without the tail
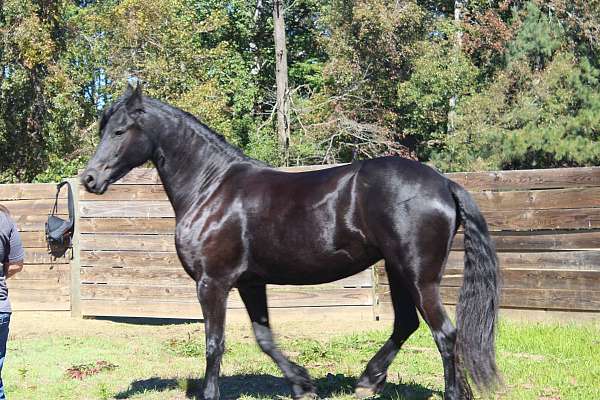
x=414 y=231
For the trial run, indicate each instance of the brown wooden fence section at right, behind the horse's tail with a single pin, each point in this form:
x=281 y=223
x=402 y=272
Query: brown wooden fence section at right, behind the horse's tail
x=546 y=227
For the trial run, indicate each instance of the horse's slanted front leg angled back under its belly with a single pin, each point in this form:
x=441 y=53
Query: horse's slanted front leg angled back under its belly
x=255 y=300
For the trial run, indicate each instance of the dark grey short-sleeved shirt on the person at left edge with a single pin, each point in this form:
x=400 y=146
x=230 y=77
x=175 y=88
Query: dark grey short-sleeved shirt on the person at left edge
x=11 y=250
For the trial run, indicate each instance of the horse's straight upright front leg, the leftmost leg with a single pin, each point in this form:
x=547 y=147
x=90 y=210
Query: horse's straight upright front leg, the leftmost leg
x=212 y=295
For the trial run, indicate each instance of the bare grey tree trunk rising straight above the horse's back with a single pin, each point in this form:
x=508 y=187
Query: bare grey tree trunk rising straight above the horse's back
x=281 y=76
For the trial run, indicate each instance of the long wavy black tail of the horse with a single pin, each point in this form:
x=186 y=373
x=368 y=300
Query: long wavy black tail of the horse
x=478 y=302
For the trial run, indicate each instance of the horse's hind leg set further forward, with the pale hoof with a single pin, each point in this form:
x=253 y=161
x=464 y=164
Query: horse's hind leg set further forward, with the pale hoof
x=406 y=322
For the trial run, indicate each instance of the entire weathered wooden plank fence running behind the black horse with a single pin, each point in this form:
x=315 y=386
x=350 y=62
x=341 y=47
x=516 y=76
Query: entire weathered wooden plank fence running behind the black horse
x=545 y=223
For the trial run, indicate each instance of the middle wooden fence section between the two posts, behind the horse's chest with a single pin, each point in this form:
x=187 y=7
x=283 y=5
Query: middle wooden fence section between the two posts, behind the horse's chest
x=129 y=266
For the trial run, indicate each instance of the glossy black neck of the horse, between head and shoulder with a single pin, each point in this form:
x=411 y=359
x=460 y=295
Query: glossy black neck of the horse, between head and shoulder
x=192 y=164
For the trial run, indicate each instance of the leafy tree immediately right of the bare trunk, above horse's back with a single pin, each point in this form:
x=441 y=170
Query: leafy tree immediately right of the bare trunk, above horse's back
x=353 y=114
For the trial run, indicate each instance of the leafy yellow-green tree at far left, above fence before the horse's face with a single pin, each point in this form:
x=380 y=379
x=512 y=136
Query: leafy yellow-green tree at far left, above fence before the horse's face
x=39 y=100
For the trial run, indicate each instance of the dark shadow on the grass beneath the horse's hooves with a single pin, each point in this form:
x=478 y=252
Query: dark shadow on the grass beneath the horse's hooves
x=267 y=386
